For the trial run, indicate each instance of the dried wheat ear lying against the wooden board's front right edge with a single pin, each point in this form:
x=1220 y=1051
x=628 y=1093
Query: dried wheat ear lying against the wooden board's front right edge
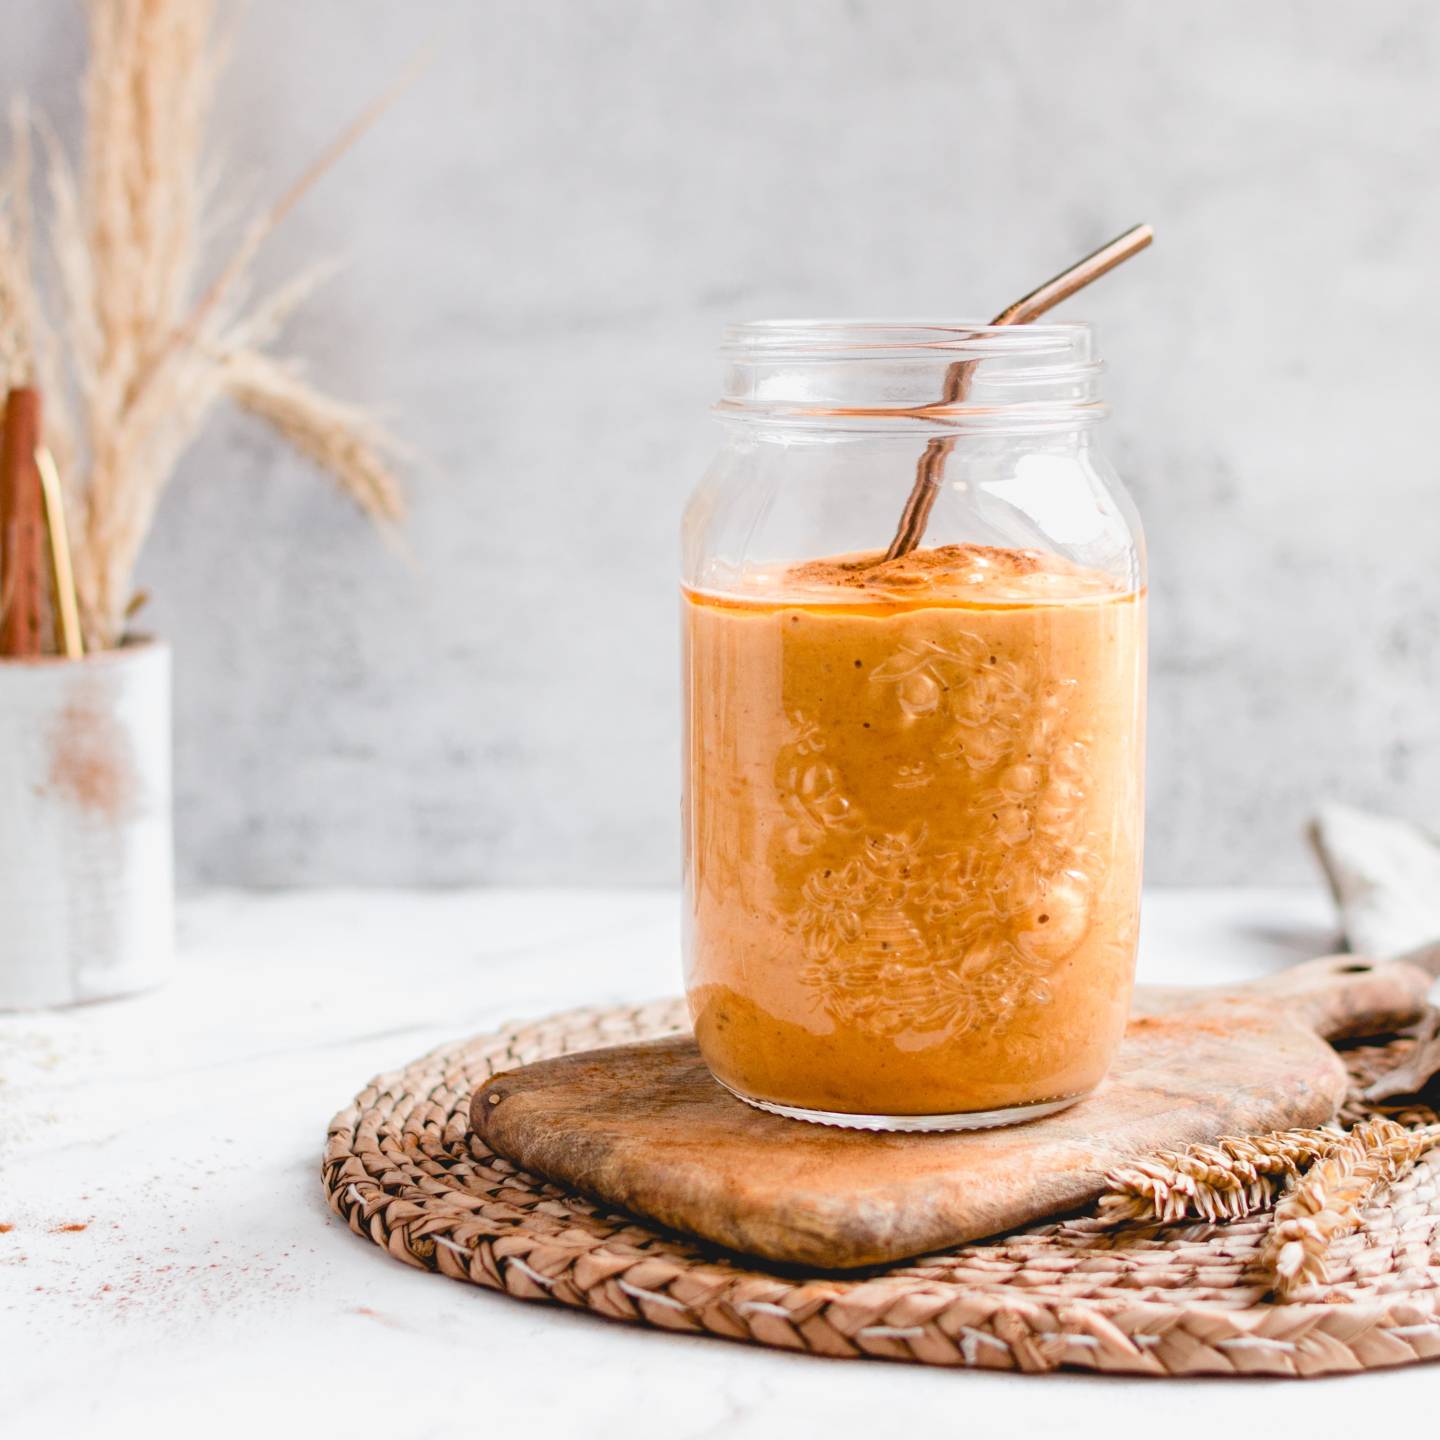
x=1236 y=1177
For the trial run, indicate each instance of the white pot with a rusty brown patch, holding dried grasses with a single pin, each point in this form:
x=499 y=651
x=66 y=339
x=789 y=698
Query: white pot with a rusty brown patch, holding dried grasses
x=87 y=870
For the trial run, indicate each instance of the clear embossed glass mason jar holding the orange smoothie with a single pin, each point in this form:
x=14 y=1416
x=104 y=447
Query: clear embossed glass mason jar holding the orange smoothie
x=914 y=786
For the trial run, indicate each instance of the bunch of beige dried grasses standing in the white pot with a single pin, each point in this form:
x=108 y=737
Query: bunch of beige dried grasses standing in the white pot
x=149 y=345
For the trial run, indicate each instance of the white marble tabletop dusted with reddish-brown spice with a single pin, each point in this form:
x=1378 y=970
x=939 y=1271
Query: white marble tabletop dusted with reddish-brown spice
x=211 y=1291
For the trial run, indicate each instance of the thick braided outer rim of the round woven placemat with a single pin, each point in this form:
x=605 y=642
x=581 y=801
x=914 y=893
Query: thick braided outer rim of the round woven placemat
x=892 y=1317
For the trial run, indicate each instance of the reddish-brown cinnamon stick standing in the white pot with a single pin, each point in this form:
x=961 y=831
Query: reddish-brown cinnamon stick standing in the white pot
x=22 y=528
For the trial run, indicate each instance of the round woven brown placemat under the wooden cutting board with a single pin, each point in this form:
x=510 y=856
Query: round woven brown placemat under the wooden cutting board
x=402 y=1170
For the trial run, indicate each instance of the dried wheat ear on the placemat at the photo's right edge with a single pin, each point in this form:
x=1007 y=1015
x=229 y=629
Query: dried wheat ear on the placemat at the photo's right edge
x=1331 y=1200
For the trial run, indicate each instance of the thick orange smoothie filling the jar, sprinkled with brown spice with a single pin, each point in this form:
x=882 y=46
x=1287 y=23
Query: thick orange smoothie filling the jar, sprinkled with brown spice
x=914 y=830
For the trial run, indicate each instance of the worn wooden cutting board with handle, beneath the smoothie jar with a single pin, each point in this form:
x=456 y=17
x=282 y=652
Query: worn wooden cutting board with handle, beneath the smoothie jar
x=646 y=1128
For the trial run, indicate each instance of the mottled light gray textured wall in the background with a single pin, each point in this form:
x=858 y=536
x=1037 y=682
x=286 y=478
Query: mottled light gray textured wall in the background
x=544 y=243
